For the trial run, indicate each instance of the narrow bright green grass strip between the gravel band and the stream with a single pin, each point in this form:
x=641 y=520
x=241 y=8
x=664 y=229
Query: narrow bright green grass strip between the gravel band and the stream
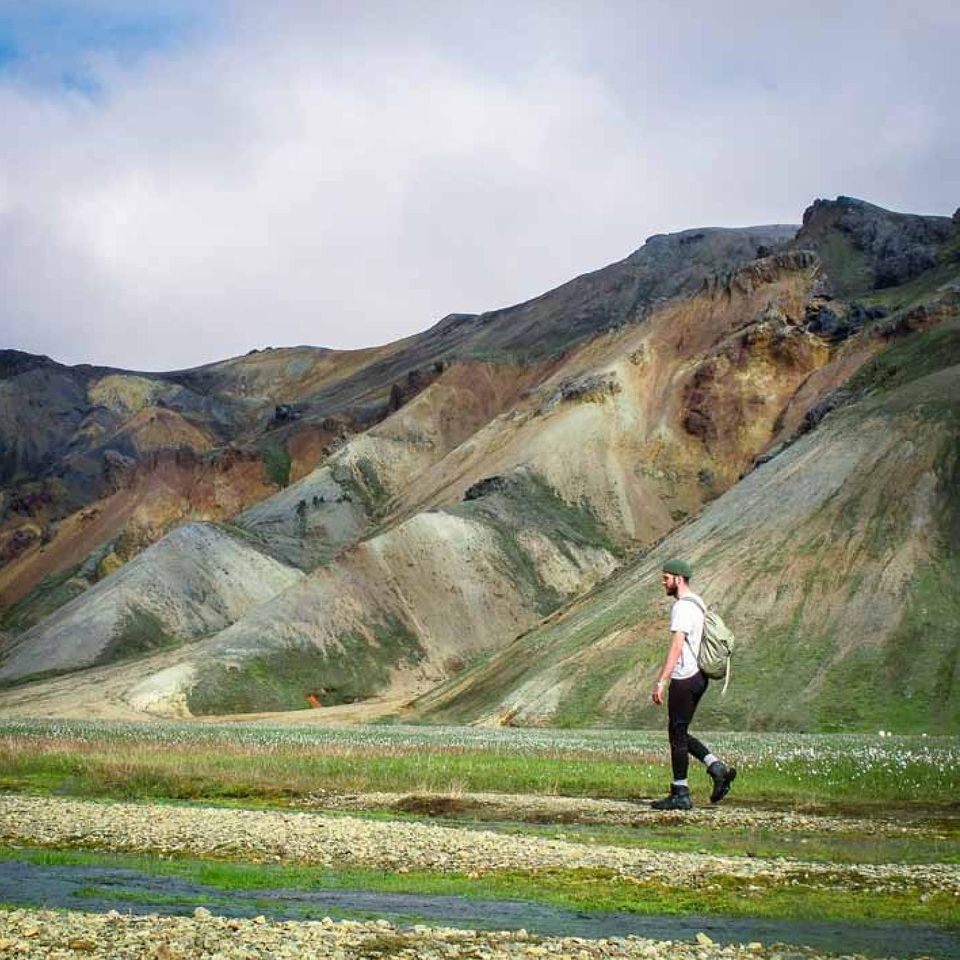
x=594 y=890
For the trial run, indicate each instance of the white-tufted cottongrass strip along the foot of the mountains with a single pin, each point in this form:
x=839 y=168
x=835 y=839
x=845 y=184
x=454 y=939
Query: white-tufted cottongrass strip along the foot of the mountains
x=834 y=763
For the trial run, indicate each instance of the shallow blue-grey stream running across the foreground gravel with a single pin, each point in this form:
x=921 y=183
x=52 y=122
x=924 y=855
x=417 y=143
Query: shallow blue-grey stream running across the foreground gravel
x=98 y=889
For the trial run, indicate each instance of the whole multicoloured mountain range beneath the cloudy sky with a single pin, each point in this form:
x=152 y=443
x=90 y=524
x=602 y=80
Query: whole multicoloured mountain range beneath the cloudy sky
x=477 y=513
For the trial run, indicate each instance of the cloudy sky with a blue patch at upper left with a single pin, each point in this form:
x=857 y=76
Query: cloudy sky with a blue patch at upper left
x=185 y=182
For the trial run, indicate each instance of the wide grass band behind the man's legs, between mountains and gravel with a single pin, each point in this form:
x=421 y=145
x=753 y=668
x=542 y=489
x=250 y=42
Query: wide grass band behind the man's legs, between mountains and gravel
x=843 y=773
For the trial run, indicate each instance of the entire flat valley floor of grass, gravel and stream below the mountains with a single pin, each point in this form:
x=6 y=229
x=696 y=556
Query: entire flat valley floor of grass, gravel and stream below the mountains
x=171 y=841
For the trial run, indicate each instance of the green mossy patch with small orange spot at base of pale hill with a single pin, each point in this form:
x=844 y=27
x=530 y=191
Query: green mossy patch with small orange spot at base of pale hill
x=294 y=677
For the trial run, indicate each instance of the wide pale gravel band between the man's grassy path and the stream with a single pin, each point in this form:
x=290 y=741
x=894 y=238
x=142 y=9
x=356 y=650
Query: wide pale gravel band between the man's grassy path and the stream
x=340 y=841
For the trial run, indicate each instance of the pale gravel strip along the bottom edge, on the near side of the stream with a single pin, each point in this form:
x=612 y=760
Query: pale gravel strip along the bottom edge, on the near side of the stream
x=114 y=936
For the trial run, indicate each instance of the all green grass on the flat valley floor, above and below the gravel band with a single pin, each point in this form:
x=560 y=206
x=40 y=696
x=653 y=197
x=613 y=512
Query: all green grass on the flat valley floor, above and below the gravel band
x=854 y=802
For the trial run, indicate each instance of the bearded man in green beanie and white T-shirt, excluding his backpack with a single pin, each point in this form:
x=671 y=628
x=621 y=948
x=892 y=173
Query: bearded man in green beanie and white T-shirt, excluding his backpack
x=687 y=686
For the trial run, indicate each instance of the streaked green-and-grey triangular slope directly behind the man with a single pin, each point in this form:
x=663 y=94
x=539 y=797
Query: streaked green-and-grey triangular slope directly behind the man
x=834 y=561
